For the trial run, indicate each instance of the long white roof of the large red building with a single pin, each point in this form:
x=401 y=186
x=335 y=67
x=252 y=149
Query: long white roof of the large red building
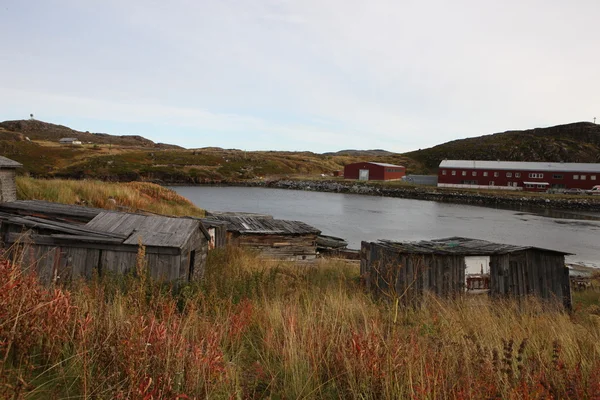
x=522 y=165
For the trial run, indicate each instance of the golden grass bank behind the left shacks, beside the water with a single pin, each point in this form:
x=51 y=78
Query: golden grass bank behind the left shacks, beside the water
x=131 y=196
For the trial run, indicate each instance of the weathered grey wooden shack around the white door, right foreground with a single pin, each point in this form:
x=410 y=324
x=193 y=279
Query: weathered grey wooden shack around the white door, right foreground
x=406 y=270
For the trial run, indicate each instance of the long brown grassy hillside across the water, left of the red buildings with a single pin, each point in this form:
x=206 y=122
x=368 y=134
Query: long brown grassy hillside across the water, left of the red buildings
x=35 y=145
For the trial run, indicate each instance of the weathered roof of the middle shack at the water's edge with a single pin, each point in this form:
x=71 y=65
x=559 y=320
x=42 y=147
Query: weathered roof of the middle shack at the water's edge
x=265 y=226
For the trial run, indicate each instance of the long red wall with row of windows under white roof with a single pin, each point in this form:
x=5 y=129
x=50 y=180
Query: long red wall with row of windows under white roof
x=515 y=179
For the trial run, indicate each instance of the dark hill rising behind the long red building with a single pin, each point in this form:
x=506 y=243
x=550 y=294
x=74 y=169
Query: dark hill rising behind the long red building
x=575 y=142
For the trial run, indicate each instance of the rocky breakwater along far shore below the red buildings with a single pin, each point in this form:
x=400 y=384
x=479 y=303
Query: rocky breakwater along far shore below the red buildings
x=500 y=198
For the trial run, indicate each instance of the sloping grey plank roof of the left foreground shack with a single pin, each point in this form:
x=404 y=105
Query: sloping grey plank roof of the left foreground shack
x=154 y=231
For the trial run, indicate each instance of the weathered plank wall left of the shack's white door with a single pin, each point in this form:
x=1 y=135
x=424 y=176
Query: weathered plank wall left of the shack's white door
x=408 y=276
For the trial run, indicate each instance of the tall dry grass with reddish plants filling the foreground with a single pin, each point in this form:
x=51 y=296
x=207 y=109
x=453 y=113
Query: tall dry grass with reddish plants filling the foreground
x=256 y=329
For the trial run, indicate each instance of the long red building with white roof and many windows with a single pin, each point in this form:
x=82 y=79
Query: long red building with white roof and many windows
x=517 y=175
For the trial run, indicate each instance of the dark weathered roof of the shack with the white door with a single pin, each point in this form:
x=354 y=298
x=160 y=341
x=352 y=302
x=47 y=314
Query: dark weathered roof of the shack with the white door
x=459 y=246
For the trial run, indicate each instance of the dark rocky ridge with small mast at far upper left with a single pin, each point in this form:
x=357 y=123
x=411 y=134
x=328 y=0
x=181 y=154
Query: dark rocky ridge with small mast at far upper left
x=39 y=130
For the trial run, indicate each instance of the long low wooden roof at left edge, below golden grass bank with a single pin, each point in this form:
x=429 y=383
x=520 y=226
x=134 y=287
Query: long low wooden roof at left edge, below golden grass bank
x=50 y=210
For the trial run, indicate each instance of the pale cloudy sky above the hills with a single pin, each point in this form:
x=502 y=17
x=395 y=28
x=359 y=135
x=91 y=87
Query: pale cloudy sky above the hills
x=317 y=75
